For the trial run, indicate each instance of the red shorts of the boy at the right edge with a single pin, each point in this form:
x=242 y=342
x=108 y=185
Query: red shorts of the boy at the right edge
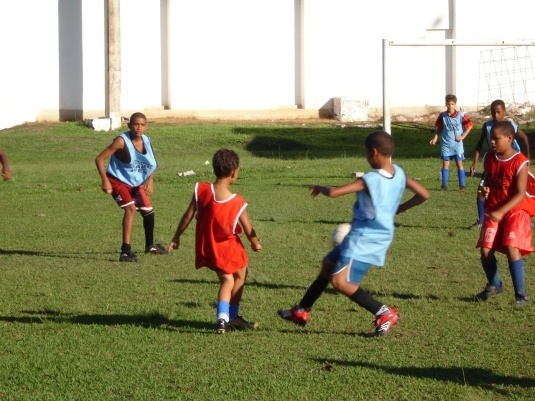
x=513 y=231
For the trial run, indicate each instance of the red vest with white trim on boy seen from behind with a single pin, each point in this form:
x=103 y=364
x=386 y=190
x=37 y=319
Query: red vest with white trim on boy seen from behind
x=217 y=244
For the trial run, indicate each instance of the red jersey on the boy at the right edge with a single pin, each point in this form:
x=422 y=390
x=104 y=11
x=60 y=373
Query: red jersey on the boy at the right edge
x=499 y=177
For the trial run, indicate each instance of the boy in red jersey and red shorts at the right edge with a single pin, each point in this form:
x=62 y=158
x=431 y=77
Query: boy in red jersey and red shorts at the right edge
x=507 y=224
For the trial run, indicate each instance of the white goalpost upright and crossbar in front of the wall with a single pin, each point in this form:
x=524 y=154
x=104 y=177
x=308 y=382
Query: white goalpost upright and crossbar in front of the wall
x=446 y=42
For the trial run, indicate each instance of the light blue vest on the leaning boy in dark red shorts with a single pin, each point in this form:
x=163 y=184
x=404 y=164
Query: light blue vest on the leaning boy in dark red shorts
x=141 y=165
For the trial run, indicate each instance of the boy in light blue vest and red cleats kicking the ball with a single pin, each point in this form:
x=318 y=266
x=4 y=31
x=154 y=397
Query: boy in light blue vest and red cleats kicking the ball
x=379 y=194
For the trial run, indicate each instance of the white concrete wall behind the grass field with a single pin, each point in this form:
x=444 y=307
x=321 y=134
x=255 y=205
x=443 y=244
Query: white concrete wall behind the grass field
x=242 y=54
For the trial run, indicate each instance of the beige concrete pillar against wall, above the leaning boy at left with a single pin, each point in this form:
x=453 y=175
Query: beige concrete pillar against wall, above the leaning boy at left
x=113 y=73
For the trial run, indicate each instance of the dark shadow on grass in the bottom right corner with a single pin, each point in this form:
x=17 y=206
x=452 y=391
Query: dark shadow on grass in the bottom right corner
x=475 y=377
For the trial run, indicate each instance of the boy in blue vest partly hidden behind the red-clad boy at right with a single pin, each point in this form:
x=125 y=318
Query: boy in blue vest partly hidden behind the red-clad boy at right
x=498 y=111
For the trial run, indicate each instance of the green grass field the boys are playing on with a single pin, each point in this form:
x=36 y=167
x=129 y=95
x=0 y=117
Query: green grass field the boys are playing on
x=75 y=324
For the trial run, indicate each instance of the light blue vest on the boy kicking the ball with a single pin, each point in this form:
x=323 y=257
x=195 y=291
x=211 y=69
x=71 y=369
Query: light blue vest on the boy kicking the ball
x=372 y=228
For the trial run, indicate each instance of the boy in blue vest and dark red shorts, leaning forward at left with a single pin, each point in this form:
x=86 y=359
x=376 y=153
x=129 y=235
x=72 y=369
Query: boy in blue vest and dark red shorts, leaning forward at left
x=129 y=179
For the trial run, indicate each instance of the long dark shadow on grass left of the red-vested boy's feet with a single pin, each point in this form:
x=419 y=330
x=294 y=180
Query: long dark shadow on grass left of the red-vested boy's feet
x=153 y=320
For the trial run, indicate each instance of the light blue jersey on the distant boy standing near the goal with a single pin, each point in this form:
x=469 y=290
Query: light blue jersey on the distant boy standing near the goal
x=451 y=127
